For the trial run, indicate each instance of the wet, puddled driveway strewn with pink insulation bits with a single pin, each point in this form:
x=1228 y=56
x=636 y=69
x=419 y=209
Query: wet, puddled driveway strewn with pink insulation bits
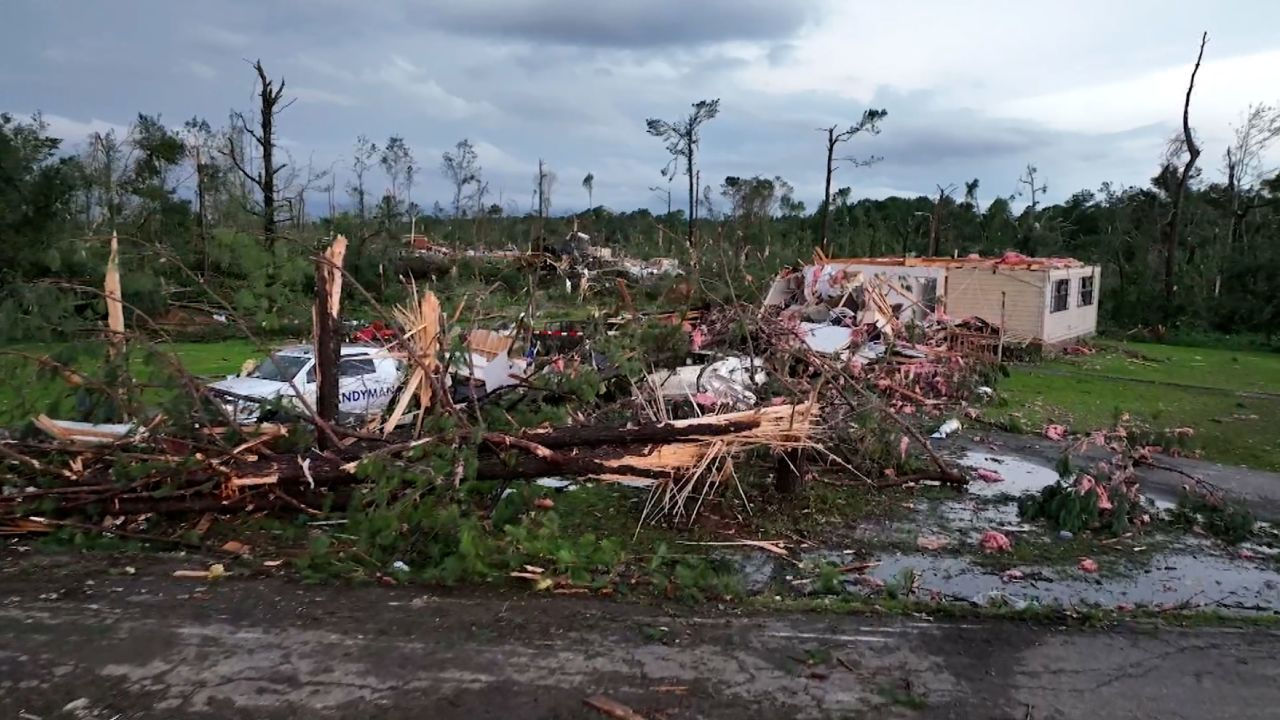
x=1183 y=572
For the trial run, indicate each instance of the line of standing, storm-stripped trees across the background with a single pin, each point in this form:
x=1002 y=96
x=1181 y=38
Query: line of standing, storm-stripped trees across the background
x=228 y=207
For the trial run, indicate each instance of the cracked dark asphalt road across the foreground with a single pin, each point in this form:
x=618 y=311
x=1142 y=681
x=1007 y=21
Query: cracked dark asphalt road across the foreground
x=89 y=642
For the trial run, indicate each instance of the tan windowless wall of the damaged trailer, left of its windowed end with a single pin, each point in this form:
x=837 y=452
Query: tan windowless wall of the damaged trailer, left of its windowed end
x=977 y=293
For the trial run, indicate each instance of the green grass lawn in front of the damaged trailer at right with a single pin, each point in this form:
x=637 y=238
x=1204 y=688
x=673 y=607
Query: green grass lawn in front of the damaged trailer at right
x=1209 y=390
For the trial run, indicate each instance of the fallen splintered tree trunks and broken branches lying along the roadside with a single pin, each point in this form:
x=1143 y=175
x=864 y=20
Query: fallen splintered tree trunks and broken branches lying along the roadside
x=85 y=476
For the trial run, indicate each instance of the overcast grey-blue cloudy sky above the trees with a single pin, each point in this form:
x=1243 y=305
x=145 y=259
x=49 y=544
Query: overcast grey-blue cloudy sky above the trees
x=1086 y=90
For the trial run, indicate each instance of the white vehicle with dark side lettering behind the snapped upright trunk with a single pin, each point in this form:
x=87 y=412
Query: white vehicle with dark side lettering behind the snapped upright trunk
x=368 y=377
